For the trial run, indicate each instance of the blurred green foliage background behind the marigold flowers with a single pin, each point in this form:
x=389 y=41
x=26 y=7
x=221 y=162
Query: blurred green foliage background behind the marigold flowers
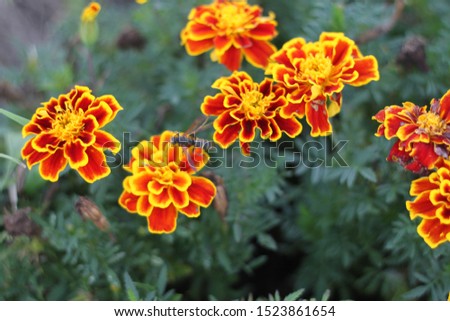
x=288 y=226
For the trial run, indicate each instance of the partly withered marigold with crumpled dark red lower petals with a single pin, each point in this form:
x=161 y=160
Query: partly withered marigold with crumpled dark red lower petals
x=423 y=136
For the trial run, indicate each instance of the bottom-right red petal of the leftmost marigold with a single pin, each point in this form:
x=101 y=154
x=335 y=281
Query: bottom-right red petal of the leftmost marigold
x=96 y=167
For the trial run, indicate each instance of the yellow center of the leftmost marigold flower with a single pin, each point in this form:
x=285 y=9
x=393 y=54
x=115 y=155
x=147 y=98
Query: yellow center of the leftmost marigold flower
x=68 y=123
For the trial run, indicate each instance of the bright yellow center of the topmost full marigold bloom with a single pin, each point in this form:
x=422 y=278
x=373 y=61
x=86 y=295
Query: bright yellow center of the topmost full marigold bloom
x=233 y=19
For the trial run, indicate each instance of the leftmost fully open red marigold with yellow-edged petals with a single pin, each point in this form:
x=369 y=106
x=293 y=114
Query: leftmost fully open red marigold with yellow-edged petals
x=68 y=131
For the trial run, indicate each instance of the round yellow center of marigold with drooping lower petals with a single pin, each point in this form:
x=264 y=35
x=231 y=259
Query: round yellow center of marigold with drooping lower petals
x=316 y=68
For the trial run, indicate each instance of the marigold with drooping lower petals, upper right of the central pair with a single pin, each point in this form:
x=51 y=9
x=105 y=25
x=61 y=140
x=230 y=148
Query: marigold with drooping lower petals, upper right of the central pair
x=314 y=75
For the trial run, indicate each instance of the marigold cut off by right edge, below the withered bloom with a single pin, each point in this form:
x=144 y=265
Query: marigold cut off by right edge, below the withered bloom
x=432 y=204
